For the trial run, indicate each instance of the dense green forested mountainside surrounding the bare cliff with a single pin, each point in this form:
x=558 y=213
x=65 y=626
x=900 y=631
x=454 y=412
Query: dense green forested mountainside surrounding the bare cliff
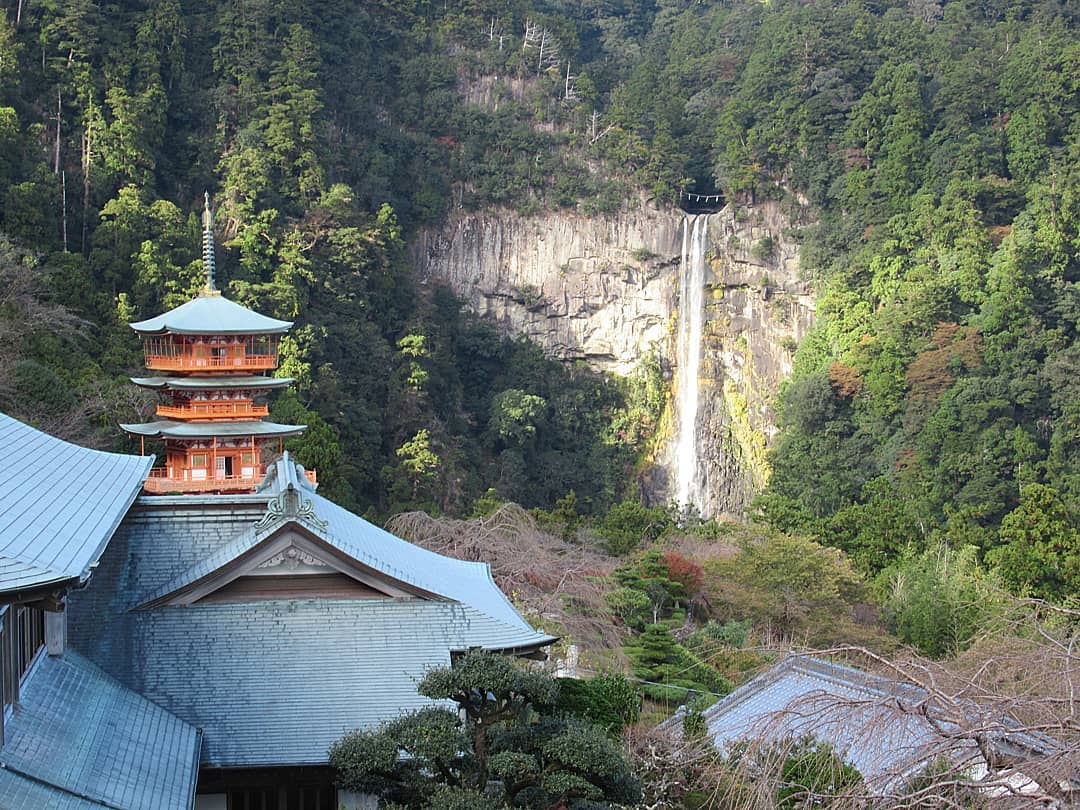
x=936 y=146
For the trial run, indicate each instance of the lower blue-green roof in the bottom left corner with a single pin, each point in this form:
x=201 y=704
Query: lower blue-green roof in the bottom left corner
x=83 y=740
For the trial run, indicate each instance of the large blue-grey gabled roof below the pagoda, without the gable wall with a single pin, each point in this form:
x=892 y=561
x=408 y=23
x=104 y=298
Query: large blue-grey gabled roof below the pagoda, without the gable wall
x=277 y=682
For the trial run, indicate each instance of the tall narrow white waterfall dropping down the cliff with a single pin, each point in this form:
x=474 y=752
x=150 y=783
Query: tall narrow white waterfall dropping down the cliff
x=692 y=285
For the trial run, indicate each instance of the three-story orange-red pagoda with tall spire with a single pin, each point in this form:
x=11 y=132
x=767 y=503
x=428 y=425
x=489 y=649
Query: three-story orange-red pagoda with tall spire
x=211 y=357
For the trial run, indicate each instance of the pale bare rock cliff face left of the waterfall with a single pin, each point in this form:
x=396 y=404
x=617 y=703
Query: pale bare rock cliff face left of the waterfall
x=595 y=289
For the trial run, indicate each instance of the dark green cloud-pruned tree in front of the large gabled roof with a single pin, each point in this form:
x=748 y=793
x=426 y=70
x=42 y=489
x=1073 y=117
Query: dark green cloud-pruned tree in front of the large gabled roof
x=504 y=730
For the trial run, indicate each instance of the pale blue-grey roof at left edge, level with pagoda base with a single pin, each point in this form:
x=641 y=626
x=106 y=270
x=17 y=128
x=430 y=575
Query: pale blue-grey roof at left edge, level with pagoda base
x=60 y=505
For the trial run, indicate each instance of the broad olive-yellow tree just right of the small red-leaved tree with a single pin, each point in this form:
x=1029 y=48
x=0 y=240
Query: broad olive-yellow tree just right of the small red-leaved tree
x=791 y=585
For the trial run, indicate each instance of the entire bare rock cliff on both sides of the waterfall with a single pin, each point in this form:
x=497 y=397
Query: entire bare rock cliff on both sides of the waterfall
x=605 y=290
